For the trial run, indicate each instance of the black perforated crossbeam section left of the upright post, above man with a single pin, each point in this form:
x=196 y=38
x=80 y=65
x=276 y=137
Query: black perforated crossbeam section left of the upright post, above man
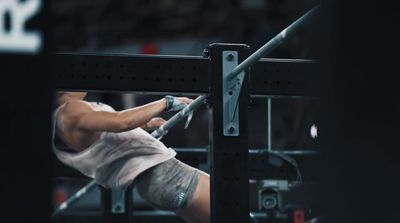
x=127 y=73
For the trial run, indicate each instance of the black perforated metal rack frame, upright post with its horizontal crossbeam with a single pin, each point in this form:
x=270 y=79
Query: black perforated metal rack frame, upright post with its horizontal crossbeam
x=195 y=75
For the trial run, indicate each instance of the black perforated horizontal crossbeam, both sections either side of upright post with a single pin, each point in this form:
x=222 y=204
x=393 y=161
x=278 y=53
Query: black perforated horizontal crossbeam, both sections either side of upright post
x=269 y=77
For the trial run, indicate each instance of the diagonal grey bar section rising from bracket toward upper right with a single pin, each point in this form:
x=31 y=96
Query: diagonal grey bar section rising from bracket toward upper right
x=273 y=43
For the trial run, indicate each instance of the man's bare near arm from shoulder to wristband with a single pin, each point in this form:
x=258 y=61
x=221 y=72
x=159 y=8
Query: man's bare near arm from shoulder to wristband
x=85 y=118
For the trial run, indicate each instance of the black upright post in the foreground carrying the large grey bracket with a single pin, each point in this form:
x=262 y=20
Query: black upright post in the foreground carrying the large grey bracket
x=228 y=153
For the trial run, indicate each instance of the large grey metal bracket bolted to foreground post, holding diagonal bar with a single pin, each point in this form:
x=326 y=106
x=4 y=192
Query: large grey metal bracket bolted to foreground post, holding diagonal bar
x=231 y=91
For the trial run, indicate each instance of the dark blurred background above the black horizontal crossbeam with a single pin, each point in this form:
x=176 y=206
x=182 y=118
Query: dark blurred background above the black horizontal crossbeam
x=183 y=27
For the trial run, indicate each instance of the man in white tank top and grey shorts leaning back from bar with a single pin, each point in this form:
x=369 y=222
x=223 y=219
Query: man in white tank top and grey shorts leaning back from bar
x=113 y=148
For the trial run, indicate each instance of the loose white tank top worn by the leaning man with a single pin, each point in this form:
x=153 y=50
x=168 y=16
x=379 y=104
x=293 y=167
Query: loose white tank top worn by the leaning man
x=115 y=159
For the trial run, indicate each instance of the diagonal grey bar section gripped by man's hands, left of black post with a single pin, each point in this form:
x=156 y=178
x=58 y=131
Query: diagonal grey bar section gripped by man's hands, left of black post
x=163 y=129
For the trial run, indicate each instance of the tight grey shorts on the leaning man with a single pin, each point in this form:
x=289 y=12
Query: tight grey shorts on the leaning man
x=169 y=185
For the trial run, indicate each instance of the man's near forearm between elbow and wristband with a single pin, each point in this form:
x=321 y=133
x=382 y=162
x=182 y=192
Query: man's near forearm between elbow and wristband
x=138 y=116
